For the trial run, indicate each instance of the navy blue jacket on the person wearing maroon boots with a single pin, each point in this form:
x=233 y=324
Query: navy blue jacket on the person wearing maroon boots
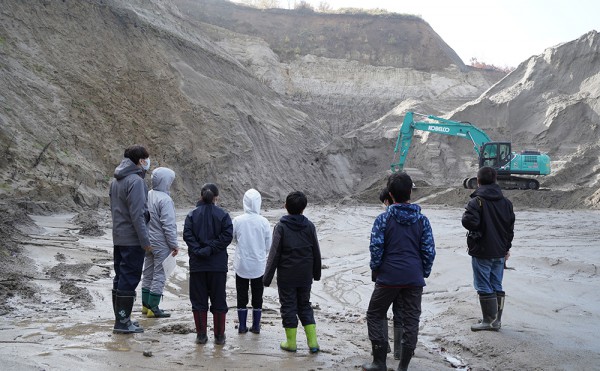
x=208 y=231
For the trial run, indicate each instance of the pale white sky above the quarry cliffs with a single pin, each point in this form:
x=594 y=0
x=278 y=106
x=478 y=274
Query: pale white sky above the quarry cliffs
x=502 y=33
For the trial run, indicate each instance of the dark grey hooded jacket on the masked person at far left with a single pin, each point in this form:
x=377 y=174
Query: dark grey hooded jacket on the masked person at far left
x=128 y=195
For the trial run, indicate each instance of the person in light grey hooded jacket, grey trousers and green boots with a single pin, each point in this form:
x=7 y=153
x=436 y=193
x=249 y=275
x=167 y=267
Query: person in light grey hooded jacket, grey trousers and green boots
x=163 y=237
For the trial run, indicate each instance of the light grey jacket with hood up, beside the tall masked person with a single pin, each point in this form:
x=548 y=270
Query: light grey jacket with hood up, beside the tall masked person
x=163 y=225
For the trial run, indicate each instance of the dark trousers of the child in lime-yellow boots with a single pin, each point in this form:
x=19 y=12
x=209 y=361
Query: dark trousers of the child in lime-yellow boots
x=295 y=305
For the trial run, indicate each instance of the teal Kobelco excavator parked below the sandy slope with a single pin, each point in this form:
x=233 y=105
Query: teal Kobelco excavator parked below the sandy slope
x=509 y=165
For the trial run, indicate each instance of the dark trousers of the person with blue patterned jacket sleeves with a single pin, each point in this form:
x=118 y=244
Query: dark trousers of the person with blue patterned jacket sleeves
x=408 y=299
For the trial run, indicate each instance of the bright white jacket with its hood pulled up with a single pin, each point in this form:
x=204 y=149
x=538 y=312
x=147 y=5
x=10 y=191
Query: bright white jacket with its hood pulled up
x=252 y=234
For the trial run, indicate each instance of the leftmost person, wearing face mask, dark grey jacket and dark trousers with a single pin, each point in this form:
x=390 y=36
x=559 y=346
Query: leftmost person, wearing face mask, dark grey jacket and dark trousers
x=128 y=195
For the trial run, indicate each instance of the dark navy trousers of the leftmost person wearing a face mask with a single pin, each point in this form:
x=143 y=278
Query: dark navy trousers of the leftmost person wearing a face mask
x=128 y=263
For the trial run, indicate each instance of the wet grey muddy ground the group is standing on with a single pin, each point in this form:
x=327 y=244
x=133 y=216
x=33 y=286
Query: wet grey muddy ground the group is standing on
x=56 y=312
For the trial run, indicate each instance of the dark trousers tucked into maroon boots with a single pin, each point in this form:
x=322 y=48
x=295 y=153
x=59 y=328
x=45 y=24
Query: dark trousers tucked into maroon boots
x=205 y=285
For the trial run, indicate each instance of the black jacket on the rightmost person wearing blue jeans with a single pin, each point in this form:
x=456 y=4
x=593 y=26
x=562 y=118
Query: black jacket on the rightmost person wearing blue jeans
x=490 y=219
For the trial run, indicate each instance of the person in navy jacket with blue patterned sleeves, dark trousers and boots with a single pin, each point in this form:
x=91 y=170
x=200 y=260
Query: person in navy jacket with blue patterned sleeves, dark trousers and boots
x=402 y=254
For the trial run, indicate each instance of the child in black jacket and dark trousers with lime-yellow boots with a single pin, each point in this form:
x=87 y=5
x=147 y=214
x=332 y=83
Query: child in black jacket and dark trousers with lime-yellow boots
x=296 y=256
